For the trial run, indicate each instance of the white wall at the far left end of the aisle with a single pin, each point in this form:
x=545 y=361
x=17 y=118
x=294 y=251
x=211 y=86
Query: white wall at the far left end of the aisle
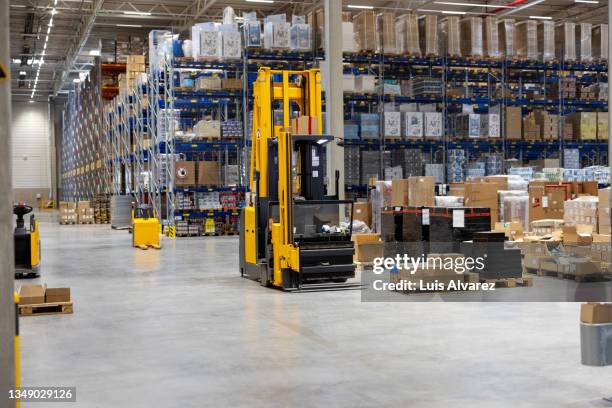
x=31 y=152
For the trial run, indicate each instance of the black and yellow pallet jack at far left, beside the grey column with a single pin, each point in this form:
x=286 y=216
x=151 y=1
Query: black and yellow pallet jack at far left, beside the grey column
x=27 y=243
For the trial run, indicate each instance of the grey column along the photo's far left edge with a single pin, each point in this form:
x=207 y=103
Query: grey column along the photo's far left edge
x=7 y=266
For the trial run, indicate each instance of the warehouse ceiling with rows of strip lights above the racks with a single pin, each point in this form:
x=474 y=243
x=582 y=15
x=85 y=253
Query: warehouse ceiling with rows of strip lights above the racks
x=52 y=41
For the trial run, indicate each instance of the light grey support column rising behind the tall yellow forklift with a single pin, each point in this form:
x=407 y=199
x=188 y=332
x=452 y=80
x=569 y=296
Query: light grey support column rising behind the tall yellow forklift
x=332 y=84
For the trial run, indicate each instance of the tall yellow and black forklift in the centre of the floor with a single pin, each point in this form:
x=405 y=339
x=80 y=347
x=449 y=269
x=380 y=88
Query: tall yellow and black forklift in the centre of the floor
x=292 y=235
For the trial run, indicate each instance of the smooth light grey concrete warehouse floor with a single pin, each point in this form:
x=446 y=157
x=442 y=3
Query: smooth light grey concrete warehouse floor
x=180 y=328
